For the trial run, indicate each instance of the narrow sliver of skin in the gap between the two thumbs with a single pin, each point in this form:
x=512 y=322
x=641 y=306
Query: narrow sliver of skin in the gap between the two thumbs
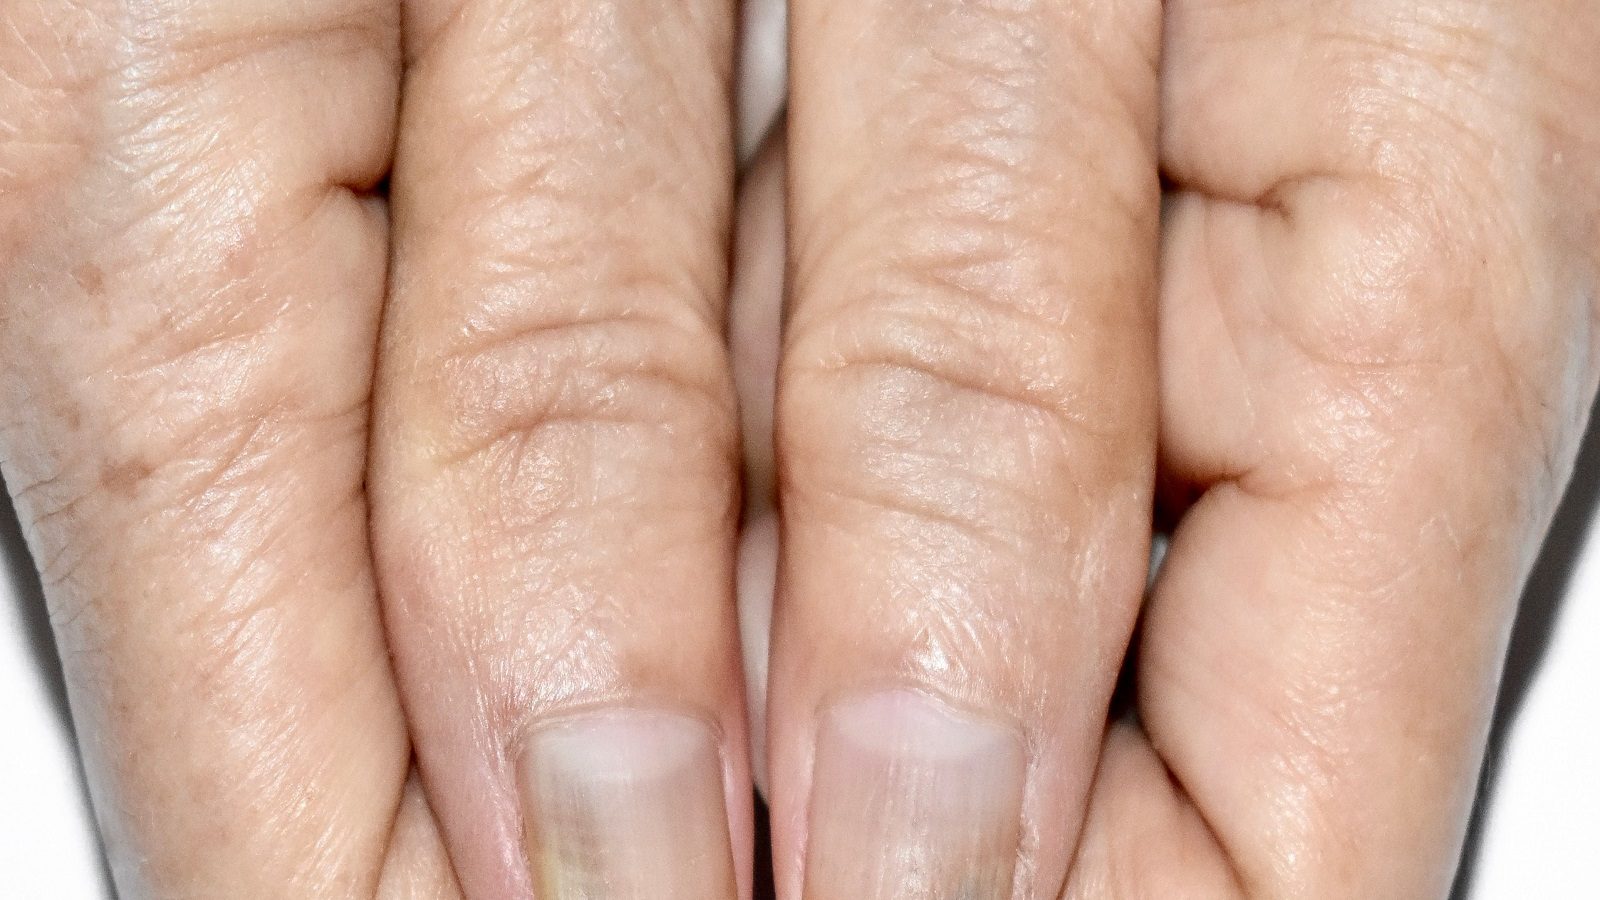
x=754 y=326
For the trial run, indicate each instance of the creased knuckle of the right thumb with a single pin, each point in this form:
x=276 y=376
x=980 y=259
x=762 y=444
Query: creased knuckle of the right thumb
x=958 y=409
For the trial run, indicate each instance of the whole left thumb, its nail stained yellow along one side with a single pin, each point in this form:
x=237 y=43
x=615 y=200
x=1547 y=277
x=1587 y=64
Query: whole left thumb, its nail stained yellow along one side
x=556 y=452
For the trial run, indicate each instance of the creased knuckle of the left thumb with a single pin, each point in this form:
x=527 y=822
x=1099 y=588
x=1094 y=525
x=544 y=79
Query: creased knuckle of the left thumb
x=586 y=408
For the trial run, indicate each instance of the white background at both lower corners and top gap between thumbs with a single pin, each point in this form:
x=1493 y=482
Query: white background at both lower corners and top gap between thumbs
x=1538 y=835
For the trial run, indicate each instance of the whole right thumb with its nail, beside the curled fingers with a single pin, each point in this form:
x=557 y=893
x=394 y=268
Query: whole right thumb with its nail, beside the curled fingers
x=966 y=436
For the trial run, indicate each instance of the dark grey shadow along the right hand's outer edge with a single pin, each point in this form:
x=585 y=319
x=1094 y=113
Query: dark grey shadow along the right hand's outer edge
x=1537 y=617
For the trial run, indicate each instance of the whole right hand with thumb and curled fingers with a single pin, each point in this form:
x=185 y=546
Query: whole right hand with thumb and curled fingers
x=1372 y=358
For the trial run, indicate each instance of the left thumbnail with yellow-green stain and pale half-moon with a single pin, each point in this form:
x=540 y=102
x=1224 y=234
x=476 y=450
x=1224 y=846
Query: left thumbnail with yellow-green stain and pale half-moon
x=626 y=806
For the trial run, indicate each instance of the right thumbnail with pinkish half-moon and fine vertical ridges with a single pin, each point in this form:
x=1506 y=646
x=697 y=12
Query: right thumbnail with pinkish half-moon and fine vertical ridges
x=913 y=800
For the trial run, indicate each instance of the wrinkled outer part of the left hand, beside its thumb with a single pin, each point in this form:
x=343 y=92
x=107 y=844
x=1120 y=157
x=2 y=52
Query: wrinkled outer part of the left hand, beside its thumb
x=193 y=275
